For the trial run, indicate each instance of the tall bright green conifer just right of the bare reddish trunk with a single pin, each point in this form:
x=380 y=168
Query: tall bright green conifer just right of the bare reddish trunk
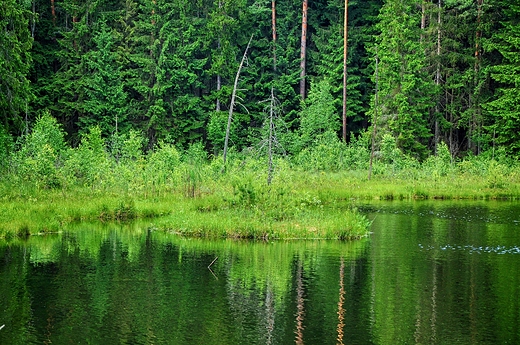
x=405 y=87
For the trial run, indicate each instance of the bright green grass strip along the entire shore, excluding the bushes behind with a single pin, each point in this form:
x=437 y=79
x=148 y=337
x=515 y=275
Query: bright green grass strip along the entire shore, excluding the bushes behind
x=238 y=204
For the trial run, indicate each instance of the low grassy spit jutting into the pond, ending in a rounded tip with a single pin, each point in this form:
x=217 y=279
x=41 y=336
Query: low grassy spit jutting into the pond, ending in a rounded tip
x=217 y=214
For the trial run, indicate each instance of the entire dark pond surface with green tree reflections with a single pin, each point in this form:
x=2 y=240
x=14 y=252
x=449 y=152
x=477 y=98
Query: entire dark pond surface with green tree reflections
x=430 y=273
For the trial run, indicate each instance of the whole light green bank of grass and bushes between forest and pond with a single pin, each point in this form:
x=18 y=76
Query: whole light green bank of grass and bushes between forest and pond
x=46 y=186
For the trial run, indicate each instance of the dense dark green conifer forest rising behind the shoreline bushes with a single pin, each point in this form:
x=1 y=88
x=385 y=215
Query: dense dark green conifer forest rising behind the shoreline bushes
x=419 y=73
